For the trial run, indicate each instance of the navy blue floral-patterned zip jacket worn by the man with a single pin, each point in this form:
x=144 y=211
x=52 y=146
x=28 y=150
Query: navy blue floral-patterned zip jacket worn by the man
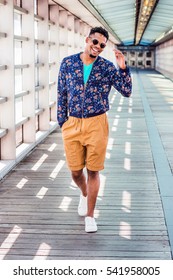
x=84 y=101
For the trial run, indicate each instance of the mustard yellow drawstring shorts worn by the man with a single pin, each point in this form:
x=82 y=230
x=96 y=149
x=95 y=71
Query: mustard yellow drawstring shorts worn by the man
x=85 y=142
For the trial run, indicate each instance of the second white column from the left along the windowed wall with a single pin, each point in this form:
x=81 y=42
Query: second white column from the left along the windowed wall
x=28 y=57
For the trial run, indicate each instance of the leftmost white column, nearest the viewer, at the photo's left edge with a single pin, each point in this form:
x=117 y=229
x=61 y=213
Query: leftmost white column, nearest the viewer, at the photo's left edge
x=8 y=142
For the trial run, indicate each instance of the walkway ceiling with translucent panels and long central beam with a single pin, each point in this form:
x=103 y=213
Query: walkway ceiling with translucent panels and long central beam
x=129 y=22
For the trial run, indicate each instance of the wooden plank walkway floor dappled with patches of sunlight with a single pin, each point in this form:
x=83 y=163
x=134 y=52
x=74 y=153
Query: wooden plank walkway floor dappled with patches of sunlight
x=38 y=200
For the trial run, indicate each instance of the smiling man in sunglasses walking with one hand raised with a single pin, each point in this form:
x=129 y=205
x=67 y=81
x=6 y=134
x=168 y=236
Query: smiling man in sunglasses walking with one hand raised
x=84 y=82
